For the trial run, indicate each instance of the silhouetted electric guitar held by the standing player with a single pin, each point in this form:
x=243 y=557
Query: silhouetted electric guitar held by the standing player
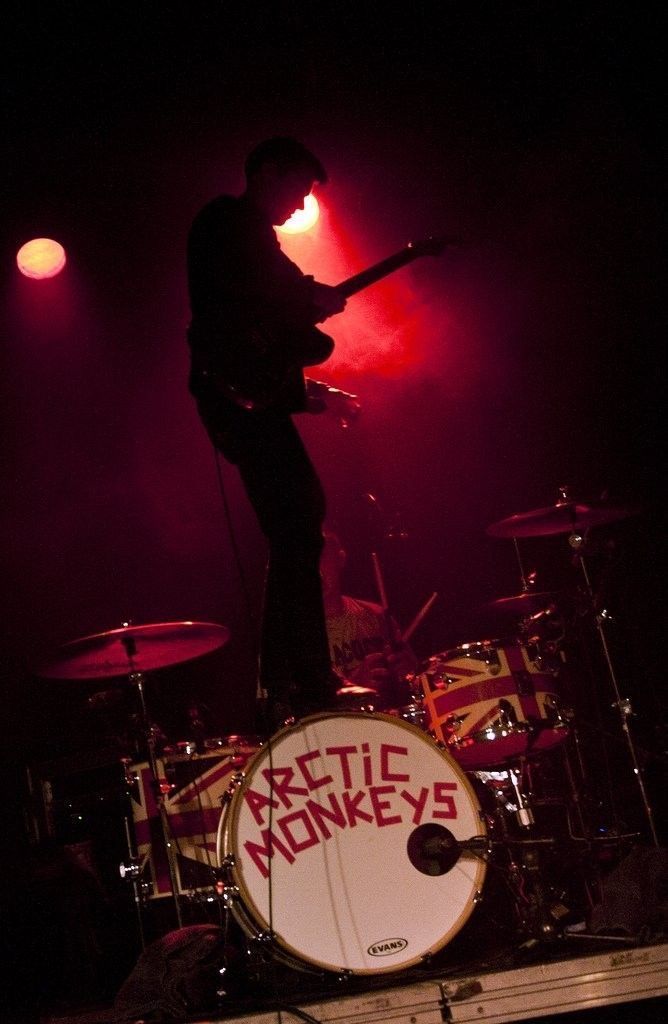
x=273 y=358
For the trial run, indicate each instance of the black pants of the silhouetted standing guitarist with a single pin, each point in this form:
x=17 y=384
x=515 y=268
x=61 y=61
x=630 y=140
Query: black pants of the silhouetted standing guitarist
x=285 y=491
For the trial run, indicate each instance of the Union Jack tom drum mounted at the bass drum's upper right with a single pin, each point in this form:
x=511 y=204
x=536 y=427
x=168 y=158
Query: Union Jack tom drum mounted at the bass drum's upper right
x=490 y=703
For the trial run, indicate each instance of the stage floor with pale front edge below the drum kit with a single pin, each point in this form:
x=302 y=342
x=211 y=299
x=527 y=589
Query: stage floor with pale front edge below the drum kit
x=605 y=979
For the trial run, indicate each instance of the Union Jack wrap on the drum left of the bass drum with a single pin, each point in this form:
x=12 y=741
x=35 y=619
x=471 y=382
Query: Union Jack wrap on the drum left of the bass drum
x=193 y=788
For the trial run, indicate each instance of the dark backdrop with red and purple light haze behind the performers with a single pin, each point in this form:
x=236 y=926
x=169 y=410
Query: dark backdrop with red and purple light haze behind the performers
x=527 y=360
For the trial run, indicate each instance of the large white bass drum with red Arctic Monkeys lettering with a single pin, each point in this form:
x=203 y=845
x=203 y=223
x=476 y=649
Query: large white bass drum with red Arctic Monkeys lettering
x=340 y=839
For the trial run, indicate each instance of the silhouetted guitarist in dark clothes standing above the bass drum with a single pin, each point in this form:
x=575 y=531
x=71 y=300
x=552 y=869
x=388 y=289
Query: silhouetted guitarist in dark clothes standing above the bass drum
x=252 y=334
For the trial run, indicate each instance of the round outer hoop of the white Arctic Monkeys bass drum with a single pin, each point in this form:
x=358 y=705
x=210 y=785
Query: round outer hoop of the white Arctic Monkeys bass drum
x=244 y=908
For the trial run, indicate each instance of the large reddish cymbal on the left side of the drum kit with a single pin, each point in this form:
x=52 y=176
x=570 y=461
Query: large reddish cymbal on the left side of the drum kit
x=134 y=649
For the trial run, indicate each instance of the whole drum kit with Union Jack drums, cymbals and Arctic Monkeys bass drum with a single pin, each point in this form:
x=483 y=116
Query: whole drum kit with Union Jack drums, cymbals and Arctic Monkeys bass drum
x=359 y=841
